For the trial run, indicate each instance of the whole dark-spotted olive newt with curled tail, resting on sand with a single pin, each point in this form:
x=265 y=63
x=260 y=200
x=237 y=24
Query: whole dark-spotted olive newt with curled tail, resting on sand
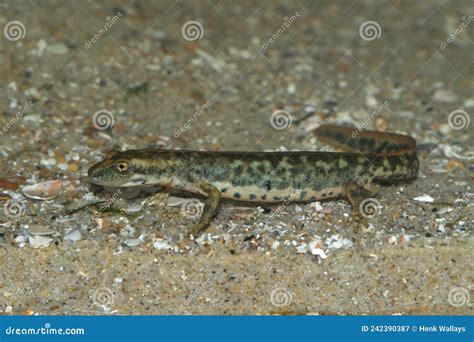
x=368 y=158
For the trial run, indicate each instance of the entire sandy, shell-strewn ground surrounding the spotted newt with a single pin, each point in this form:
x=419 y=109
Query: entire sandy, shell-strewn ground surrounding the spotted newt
x=162 y=87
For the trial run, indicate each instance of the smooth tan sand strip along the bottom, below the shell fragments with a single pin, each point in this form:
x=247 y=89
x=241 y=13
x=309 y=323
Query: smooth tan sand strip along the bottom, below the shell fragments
x=414 y=279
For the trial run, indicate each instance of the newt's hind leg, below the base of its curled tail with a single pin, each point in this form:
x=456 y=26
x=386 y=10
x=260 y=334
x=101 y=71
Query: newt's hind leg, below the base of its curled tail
x=363 y=204
